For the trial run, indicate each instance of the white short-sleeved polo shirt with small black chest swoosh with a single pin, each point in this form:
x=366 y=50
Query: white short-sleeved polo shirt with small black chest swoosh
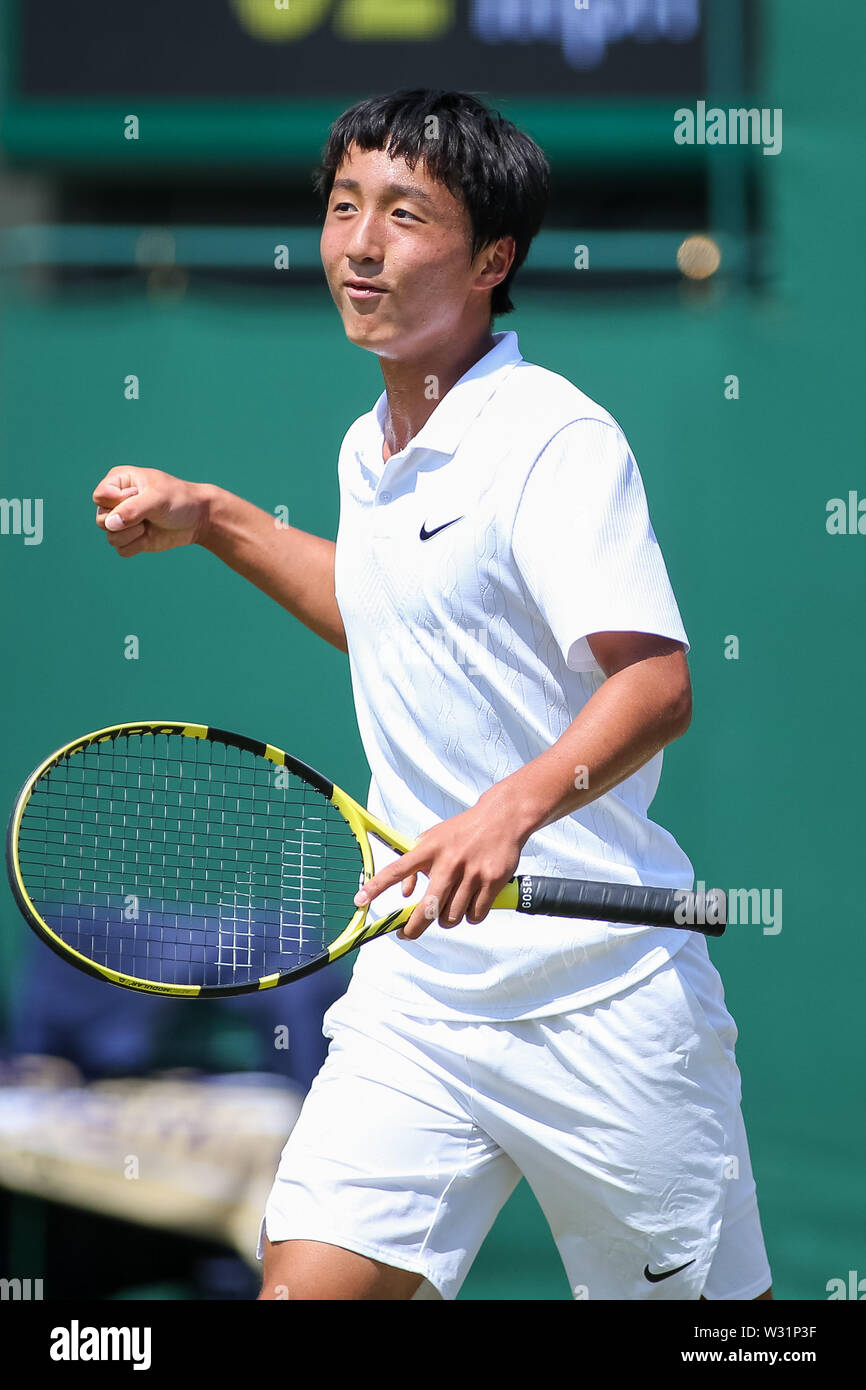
x=471 y=569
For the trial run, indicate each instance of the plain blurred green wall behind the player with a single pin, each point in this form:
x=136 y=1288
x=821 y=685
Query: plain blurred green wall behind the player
x=255 y=391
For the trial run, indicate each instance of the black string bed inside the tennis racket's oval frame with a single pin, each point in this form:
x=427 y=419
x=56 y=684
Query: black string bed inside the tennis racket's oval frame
x=184 y=861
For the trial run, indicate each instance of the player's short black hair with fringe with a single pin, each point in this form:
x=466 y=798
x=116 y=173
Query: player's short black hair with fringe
x=501 y=174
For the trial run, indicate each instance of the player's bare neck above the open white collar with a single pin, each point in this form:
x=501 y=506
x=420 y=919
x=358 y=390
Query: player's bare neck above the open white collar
x=415 y=387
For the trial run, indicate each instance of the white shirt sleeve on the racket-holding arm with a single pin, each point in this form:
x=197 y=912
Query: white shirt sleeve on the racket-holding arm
x=585 y=546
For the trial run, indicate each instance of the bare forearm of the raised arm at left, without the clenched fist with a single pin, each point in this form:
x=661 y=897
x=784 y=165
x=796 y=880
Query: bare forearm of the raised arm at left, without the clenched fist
x=291 y=566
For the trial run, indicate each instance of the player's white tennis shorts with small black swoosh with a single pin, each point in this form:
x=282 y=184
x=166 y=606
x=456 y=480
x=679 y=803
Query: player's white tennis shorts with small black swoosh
x=623 y=1117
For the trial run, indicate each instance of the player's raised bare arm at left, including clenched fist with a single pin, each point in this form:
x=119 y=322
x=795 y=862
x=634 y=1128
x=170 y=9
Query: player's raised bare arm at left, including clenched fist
x=144 y=511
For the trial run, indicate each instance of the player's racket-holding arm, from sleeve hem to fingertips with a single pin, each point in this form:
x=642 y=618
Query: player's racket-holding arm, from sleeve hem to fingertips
x=642 y=707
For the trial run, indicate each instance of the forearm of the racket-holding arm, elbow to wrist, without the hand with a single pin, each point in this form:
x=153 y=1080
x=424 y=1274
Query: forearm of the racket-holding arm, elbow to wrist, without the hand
x=626 y=723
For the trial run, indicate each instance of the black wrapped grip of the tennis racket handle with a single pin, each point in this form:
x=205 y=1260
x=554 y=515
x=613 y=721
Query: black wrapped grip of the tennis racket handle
x=626 y=903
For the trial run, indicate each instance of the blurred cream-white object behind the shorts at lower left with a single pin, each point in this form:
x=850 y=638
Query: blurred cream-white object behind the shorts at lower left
x=191 y=1154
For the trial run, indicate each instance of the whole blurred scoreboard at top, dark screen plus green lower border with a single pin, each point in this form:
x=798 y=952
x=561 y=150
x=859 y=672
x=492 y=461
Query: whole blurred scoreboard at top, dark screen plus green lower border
x=259 y=81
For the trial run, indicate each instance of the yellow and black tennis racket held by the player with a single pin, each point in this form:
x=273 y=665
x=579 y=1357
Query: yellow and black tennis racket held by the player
x=187 y=861
